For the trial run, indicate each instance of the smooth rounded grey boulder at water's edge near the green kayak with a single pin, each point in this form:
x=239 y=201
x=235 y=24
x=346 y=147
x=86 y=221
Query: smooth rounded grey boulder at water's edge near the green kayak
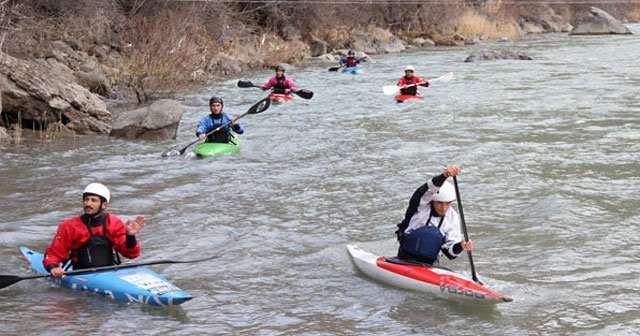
x=158 y=121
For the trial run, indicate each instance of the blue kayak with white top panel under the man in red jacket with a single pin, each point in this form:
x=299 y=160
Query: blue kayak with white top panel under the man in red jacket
x=128 y=285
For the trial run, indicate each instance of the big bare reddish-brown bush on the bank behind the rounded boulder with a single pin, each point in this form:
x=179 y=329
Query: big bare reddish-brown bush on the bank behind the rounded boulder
x=164 y=57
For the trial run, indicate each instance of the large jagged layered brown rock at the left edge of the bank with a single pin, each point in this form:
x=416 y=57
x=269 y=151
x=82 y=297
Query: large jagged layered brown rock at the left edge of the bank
x=36 y=94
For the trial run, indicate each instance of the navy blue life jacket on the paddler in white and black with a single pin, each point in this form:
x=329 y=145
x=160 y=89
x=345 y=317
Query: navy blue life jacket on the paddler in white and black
x=423 y=244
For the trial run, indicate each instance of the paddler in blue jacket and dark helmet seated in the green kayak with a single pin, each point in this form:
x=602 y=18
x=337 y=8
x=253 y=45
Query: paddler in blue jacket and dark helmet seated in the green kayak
x=216 y=119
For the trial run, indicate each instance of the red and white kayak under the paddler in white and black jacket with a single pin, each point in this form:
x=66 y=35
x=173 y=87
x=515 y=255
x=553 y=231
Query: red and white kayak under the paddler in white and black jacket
x=436 y=280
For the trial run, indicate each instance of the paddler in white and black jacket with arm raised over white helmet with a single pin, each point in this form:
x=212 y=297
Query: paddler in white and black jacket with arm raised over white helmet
x=430 y=224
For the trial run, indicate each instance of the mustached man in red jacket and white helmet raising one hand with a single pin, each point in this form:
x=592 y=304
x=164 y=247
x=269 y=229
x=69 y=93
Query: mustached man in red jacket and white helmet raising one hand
x=89 y=240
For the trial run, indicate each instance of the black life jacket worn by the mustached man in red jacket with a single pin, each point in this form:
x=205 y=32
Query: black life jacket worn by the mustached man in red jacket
x=98 y=250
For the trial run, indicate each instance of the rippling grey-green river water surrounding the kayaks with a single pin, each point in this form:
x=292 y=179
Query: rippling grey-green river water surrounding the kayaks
x=550 y=152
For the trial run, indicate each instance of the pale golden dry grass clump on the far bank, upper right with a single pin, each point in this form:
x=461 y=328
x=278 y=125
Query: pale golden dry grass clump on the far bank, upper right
x=472 y=23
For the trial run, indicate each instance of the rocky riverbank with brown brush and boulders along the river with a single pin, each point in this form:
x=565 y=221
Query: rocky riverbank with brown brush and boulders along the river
x=69 y=84
